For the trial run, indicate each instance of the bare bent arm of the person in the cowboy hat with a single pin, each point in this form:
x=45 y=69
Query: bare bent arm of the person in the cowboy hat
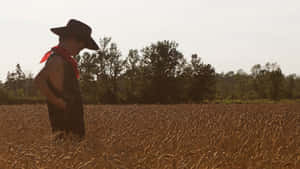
x=53 y=72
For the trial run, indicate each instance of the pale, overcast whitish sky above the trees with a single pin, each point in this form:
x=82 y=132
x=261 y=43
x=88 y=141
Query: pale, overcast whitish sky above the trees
x=229 y=34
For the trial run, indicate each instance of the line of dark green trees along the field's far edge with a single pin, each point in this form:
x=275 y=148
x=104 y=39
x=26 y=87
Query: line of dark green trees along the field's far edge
x=157 y=74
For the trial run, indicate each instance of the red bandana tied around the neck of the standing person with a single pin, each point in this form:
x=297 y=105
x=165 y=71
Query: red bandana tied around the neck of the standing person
x=65 y=54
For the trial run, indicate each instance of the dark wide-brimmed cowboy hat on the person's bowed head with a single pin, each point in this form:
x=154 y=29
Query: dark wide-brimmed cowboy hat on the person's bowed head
x=79 y=30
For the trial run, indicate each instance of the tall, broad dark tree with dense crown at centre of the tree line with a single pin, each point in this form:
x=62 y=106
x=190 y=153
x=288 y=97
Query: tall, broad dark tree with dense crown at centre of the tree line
x=160 y=64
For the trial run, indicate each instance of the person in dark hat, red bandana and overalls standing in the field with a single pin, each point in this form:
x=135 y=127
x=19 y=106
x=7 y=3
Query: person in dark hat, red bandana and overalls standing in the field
x=58 y=79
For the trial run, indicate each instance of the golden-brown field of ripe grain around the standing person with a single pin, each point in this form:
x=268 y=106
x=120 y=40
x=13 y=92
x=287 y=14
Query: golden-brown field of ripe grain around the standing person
x=157 y=136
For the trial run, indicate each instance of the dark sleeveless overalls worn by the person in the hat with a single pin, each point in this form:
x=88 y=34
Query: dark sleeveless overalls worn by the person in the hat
x=72 y=119
